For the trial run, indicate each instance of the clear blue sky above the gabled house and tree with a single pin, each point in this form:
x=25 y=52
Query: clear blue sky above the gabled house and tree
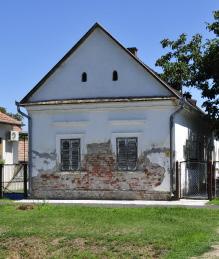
x=35 y=34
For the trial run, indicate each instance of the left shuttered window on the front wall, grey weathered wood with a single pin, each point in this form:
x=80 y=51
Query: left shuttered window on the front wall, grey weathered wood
x=70 y=154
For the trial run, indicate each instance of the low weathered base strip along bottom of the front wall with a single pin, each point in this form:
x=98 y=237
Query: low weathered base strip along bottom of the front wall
x=100 y=195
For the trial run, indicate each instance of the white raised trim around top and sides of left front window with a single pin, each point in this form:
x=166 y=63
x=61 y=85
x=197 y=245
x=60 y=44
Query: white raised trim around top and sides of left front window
x=69 y=136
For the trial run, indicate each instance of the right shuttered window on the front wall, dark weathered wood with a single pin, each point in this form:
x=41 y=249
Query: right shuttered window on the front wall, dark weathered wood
x=127 y=153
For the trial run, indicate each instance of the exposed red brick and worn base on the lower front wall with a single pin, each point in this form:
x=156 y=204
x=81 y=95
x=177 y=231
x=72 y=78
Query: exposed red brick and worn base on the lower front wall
x=100 y=179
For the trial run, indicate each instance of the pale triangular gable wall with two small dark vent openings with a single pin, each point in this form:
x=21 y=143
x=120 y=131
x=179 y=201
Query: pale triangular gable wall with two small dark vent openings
x=99 y=56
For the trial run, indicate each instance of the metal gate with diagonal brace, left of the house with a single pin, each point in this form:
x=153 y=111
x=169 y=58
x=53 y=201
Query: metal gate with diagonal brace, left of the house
x=13 y=181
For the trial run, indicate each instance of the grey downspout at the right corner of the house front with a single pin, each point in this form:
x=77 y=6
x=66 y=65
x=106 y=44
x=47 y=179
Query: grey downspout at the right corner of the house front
x=172 y=116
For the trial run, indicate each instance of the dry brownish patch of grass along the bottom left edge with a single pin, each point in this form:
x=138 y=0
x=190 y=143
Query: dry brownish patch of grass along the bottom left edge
x=37 y=248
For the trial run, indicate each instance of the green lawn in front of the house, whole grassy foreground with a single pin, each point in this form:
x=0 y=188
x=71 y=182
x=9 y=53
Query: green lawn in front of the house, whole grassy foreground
x=49 y=231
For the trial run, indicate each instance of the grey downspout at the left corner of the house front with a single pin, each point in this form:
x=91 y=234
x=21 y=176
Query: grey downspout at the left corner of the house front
x=29 y=142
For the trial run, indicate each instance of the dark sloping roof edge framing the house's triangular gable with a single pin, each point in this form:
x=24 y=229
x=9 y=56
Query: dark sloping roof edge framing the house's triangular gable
x=25 y=100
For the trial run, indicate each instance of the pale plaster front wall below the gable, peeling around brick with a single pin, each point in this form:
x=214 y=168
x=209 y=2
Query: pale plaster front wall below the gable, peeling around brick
x=98 y=123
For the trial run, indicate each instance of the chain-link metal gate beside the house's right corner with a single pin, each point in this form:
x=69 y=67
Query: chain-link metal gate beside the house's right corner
x=193 y=179
